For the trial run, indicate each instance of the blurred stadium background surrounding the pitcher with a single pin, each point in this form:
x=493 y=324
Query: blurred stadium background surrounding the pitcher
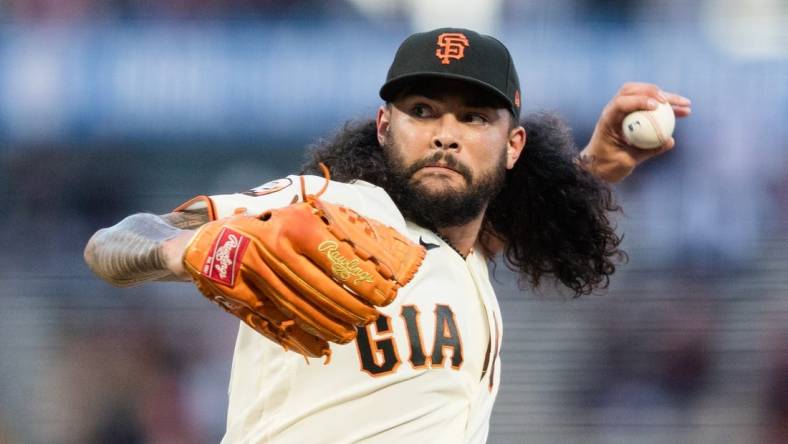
x=119 y=106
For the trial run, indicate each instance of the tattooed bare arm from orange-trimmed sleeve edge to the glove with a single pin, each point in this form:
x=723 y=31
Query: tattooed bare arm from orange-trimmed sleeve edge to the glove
x=130 y=253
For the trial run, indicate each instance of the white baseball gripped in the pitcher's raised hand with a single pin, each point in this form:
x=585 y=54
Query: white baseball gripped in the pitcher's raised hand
x=649 y=129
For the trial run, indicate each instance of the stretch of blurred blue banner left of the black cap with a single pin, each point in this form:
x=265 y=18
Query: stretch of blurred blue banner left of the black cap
x=183 y=81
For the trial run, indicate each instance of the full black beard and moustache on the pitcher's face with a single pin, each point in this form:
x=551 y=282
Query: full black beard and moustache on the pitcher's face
x=445 y=208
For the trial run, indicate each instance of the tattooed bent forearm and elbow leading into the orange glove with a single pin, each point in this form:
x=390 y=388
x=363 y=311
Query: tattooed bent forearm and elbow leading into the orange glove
x=136 y=250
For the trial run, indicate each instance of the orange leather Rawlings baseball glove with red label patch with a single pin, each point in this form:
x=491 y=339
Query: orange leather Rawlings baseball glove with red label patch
x=304 y=274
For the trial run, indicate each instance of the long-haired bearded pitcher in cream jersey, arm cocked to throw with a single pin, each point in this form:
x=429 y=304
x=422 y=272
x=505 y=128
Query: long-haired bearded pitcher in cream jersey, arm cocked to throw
x=384 y=268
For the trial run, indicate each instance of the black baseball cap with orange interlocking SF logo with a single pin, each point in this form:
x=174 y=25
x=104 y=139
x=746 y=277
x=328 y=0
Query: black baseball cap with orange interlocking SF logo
x=455 y=53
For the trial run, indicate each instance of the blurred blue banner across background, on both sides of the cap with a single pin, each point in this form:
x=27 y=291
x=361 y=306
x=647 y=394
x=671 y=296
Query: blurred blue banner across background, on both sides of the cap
x=181 y=83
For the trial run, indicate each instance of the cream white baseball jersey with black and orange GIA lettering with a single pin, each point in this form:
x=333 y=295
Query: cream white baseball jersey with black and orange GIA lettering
x=426 y=371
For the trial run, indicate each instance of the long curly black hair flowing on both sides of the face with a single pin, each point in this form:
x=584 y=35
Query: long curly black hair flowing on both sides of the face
x=551 y=219
